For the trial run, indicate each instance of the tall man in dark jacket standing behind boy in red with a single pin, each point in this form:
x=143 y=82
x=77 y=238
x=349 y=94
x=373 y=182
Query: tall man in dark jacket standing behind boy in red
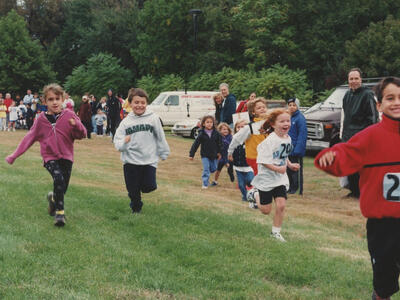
x=358 y=112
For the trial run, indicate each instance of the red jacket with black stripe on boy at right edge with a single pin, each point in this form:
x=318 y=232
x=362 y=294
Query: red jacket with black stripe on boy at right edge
x=373 y=152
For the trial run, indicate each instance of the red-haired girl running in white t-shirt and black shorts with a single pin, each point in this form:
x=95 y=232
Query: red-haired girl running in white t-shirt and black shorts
x=272 y=181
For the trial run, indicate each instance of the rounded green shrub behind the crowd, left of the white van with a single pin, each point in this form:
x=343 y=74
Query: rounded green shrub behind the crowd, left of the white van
x=100 y=73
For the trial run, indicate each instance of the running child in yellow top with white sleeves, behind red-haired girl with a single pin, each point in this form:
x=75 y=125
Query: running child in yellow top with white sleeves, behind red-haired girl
x=251 y=135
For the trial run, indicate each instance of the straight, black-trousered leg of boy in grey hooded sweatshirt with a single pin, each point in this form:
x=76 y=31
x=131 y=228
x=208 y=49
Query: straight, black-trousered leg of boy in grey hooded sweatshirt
x=132 y=177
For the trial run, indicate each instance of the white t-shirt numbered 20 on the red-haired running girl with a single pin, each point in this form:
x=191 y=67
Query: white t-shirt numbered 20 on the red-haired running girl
x=274 y=150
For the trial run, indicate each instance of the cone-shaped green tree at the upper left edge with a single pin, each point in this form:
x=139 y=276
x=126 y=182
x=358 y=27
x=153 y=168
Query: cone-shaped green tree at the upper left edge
x=22 y=60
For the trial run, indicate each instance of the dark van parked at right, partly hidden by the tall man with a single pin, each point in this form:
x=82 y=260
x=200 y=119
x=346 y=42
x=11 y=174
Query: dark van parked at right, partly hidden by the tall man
x=323 y=119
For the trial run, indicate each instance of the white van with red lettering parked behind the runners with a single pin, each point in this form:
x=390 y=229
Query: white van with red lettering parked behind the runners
x=176 y=106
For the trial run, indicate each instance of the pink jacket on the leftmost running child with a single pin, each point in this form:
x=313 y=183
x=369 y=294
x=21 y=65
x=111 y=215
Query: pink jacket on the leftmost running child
x=55 y=143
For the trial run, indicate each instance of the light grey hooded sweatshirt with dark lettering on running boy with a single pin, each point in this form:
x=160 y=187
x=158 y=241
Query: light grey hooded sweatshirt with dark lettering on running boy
x=147 y=142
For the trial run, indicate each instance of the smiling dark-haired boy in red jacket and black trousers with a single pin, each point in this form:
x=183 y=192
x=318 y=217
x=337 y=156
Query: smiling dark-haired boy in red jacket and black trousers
x=374 y=153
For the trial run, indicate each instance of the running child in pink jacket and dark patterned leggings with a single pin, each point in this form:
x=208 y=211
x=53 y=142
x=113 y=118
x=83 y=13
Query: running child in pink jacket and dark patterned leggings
x=56 y=131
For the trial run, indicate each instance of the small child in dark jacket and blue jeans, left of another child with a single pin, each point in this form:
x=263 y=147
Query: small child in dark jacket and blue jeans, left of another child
x=211 y=148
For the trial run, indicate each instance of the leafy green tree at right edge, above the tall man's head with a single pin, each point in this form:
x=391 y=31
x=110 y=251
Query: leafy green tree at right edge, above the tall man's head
x=375 y=50
